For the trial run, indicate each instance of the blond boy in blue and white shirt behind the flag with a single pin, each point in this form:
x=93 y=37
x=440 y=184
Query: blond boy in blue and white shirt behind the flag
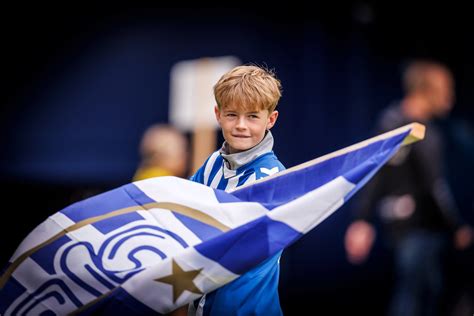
x=246 y=100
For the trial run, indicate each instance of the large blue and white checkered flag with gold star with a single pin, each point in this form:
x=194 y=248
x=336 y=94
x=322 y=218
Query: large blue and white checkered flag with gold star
x=154 y=245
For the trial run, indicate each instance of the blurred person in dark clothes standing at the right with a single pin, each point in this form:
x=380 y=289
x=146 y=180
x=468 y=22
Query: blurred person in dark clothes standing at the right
x=411 y=197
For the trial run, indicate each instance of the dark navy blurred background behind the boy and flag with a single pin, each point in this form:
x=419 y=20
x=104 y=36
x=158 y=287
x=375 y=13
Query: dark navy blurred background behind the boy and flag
x=81 y=84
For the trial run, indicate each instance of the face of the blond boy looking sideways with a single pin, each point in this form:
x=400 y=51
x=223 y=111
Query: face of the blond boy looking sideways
x=244 y=129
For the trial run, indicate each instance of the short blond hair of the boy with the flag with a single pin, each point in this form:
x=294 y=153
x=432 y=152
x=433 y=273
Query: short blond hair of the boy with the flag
x=251 y=87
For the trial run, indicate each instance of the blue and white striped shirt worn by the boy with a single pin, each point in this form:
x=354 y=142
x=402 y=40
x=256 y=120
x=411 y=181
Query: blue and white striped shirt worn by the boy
x=256 y=291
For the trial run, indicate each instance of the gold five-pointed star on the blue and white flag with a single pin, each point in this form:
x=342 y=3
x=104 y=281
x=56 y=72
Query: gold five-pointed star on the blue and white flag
x=181 y=280
